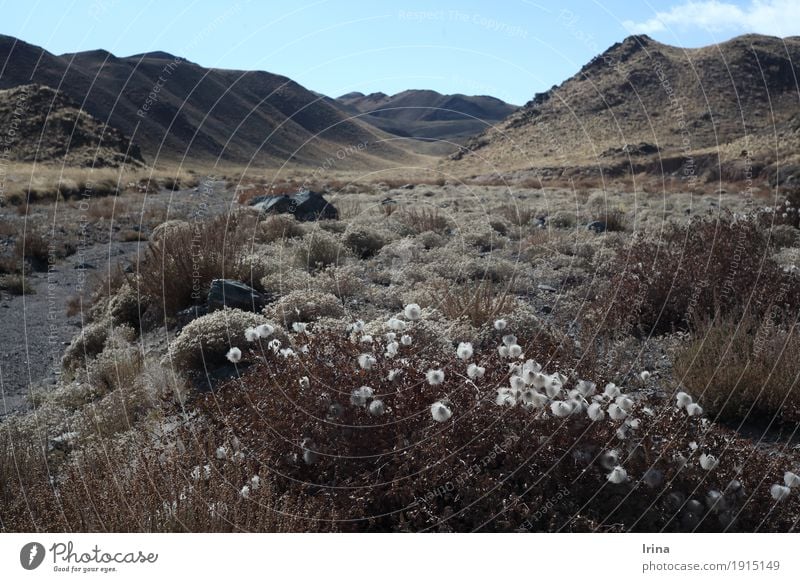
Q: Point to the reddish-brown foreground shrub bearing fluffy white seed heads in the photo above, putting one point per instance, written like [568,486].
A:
[486,468]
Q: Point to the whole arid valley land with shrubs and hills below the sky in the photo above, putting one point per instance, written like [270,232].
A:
[552,327]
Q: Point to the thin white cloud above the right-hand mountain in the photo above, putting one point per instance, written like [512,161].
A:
[773,17]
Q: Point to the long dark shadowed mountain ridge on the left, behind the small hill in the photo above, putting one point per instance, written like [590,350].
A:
[172,108]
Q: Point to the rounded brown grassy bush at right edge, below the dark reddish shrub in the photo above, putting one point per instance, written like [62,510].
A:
[744,369]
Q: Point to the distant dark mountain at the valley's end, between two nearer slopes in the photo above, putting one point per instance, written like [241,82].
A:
[427,114]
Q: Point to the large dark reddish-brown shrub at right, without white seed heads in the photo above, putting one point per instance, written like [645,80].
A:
[693,271]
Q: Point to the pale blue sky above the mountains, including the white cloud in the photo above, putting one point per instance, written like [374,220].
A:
[510,49]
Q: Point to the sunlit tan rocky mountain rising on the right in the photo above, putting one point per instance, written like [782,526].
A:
[726,110]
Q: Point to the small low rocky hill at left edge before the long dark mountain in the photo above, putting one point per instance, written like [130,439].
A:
[41,124]
